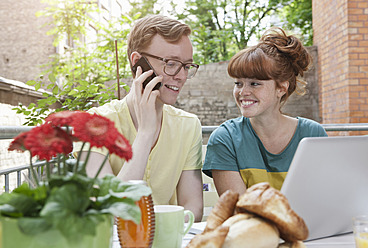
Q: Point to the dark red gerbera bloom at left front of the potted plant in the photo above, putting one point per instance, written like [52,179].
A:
[46,141]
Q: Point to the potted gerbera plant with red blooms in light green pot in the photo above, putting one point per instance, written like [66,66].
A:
[64,207]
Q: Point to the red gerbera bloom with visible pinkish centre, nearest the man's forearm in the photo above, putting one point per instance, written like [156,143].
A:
[97,130]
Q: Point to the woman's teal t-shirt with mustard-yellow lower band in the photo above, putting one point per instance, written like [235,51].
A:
[234,146]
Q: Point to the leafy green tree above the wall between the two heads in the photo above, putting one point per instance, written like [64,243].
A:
[222,27]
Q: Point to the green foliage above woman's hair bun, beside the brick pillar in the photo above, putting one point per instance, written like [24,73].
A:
[297,16]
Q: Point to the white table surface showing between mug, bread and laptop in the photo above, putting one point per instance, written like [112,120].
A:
[340,241]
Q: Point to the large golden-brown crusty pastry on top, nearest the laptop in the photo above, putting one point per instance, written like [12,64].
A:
[270,204]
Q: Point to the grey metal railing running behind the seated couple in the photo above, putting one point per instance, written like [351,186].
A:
[9,132]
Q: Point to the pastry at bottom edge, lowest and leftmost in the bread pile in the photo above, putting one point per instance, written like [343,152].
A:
[210,239]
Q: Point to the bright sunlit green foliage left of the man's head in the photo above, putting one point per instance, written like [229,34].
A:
[76,78]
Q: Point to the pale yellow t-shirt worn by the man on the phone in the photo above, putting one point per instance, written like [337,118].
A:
[178,148]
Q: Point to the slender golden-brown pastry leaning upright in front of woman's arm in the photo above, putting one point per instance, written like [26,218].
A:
[223,209]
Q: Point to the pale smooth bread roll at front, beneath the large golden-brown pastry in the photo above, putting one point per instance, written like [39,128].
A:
[250,231]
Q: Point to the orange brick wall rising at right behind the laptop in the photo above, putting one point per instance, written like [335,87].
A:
[341,35]
